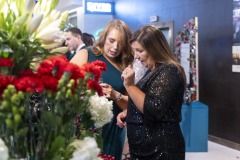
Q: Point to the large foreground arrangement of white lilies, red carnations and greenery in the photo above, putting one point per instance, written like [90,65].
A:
[49,108]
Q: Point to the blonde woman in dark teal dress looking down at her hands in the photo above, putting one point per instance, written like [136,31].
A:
[114,49]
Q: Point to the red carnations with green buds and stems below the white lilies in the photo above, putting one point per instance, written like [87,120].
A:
[38,109]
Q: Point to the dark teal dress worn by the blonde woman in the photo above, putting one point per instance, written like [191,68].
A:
[113,136]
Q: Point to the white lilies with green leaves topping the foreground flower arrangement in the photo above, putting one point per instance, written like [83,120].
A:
[30,30]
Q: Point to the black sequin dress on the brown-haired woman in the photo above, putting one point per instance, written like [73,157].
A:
[156,134]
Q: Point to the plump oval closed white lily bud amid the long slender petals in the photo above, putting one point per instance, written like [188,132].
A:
[35,22]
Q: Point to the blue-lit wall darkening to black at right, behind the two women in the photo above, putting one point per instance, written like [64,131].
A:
[219,86]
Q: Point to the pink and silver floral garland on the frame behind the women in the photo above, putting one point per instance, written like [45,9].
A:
[188,35]
